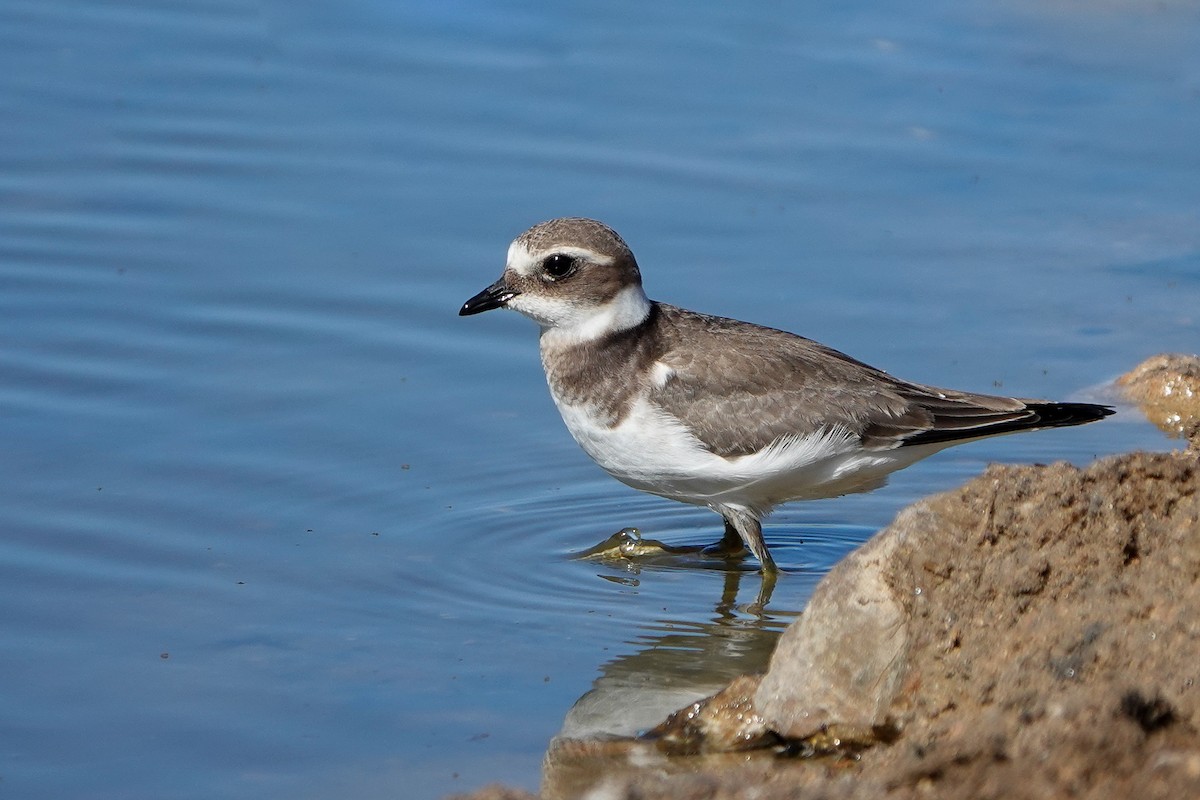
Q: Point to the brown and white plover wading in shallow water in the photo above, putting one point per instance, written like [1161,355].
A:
[721,413]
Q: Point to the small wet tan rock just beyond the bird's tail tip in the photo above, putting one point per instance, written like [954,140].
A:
[1167,389]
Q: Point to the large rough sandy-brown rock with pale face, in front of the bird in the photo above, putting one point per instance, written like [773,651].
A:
[1052,645]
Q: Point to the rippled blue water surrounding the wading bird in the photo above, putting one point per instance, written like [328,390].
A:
[277,524]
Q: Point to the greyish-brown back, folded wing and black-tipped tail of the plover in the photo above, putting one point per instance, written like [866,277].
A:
[740,387]
